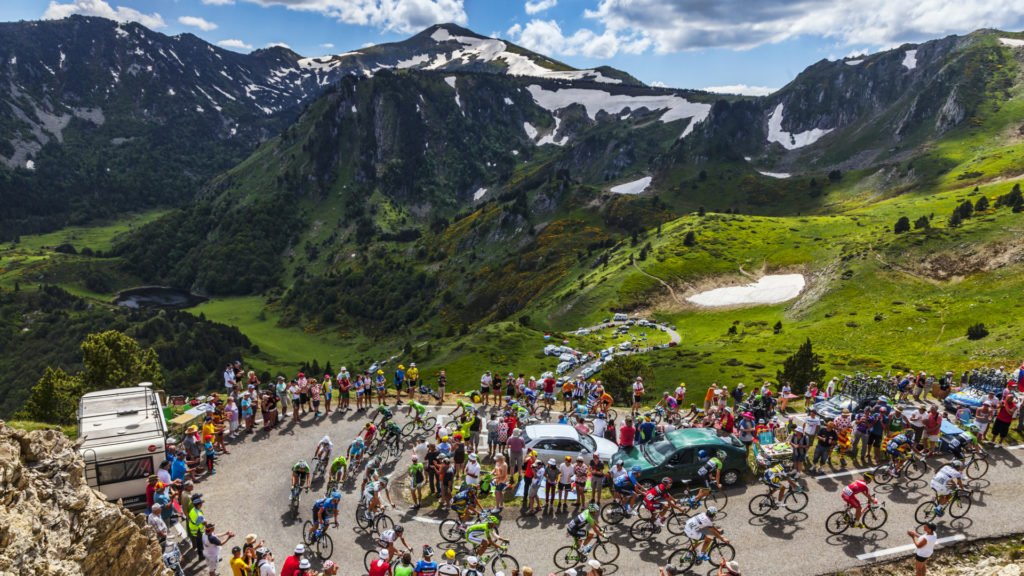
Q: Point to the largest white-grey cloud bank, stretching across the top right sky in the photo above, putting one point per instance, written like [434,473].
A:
[684,25]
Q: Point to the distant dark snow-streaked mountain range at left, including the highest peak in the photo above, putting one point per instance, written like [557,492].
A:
[102,118]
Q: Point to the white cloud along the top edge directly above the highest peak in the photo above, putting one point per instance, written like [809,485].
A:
[399,16]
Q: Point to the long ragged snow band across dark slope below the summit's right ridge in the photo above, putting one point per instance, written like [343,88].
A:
[676,108]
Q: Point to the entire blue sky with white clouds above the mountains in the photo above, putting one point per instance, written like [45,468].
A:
[745,45]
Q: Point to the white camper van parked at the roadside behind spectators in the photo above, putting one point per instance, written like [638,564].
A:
[122,435]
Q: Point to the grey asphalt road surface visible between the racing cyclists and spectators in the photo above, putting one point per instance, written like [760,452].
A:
[249,495]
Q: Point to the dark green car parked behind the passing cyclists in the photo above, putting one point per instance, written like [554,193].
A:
[676,457]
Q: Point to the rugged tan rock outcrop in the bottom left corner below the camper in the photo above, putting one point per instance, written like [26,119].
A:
[52,523]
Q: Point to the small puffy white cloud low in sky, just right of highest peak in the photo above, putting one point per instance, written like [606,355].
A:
[546,37]
